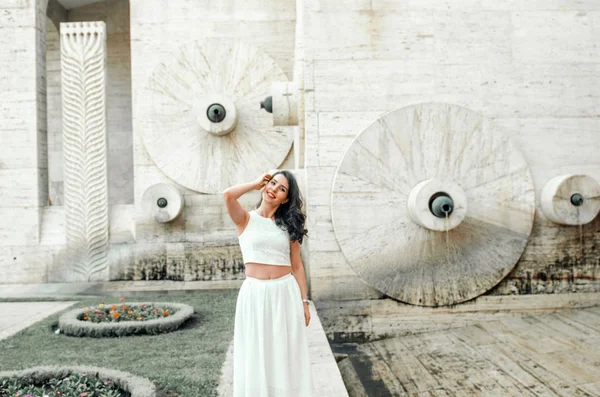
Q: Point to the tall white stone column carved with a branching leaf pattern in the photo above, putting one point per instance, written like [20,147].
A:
[83,68]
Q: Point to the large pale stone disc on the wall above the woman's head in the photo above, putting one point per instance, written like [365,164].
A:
[180,88]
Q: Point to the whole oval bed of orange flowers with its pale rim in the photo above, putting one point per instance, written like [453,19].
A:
[124,319]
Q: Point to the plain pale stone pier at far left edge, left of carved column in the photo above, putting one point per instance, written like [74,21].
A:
[23,135]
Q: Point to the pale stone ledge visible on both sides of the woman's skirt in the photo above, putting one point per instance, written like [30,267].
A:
[327,380]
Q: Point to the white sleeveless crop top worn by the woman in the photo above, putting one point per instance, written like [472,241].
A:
[262,241]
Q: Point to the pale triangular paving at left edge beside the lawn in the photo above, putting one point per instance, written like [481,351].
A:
[19,315]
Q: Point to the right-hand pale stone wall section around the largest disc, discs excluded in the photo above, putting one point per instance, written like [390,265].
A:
[530,67]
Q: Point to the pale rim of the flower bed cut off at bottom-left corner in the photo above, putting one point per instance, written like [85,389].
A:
[136,385]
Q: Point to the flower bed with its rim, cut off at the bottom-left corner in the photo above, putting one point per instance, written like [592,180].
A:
[76,381]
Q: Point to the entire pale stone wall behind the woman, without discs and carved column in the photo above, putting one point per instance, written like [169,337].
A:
[529,67]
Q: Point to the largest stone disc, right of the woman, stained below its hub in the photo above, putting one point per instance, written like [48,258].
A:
[409,262]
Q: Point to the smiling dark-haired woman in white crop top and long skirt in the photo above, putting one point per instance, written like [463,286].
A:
[270,346]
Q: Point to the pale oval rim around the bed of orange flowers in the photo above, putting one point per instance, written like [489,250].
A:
[69,323]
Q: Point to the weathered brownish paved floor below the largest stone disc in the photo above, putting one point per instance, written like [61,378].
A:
[526,355]
